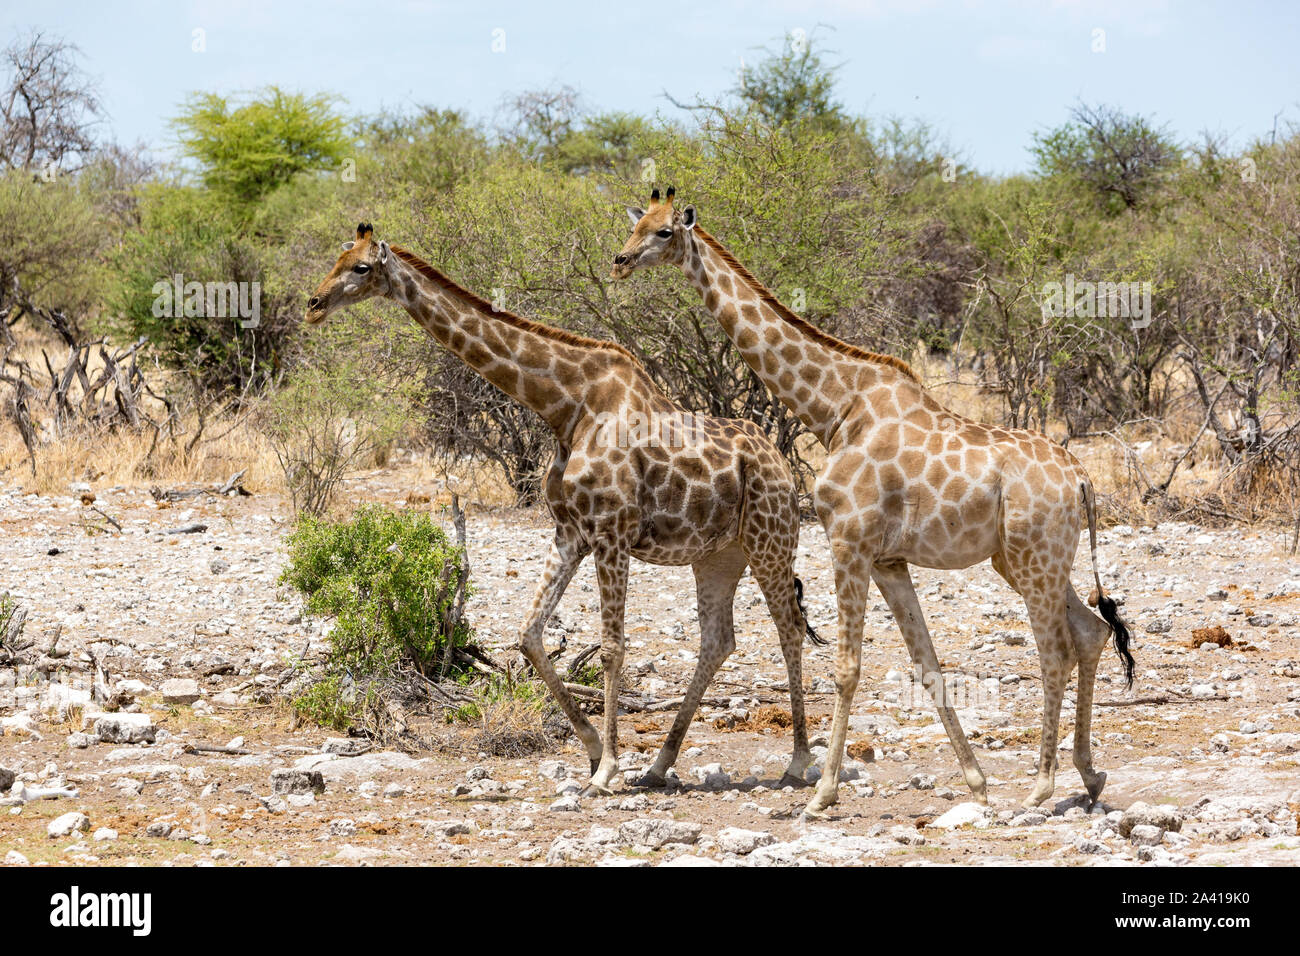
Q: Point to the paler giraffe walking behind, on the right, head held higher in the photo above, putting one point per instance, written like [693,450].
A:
[908,482]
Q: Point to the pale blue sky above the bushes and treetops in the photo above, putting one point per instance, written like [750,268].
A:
[987,76]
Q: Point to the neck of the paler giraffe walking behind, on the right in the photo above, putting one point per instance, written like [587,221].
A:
[808,373]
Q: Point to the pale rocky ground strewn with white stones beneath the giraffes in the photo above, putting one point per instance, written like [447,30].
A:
[1202,756]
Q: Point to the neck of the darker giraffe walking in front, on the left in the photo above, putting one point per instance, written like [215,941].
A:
[527,361]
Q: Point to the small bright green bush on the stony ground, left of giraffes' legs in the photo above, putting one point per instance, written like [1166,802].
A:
[393,583]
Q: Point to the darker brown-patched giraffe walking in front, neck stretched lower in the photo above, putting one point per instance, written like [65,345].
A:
[634,475]
